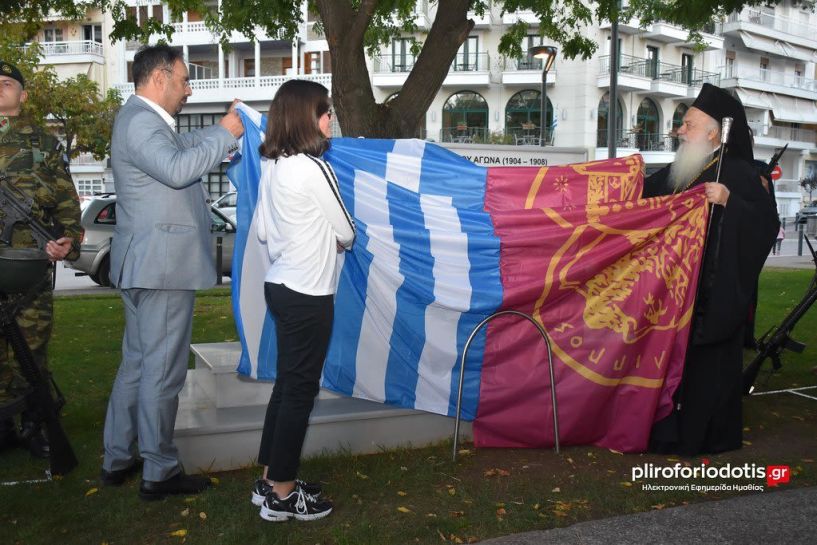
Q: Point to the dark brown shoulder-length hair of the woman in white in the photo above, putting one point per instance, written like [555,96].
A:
[292,122]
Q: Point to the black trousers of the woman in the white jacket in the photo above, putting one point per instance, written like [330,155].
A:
[303,325]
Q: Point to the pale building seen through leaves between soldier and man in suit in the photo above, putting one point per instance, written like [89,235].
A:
[72,48]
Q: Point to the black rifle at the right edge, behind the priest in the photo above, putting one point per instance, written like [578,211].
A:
[777,339]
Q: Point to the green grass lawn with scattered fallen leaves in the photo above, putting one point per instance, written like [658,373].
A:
[395,497]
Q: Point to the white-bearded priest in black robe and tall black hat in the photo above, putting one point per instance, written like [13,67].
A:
[707,417]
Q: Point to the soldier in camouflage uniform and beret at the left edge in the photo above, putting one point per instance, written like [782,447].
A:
[33,161]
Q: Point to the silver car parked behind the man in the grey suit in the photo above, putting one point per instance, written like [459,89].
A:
[99,219]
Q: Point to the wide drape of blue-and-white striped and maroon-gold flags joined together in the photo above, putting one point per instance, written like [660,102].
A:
[443,243]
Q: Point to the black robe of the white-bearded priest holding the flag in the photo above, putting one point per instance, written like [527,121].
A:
[708,417]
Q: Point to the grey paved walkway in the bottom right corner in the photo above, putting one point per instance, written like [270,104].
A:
[788,516]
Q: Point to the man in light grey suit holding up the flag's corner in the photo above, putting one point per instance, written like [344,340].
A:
[160,254]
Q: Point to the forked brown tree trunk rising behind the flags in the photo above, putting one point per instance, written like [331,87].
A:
[358,112]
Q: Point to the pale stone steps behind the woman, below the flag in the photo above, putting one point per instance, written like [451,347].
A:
[221,416]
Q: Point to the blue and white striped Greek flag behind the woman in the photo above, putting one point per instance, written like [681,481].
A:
[423,272]
